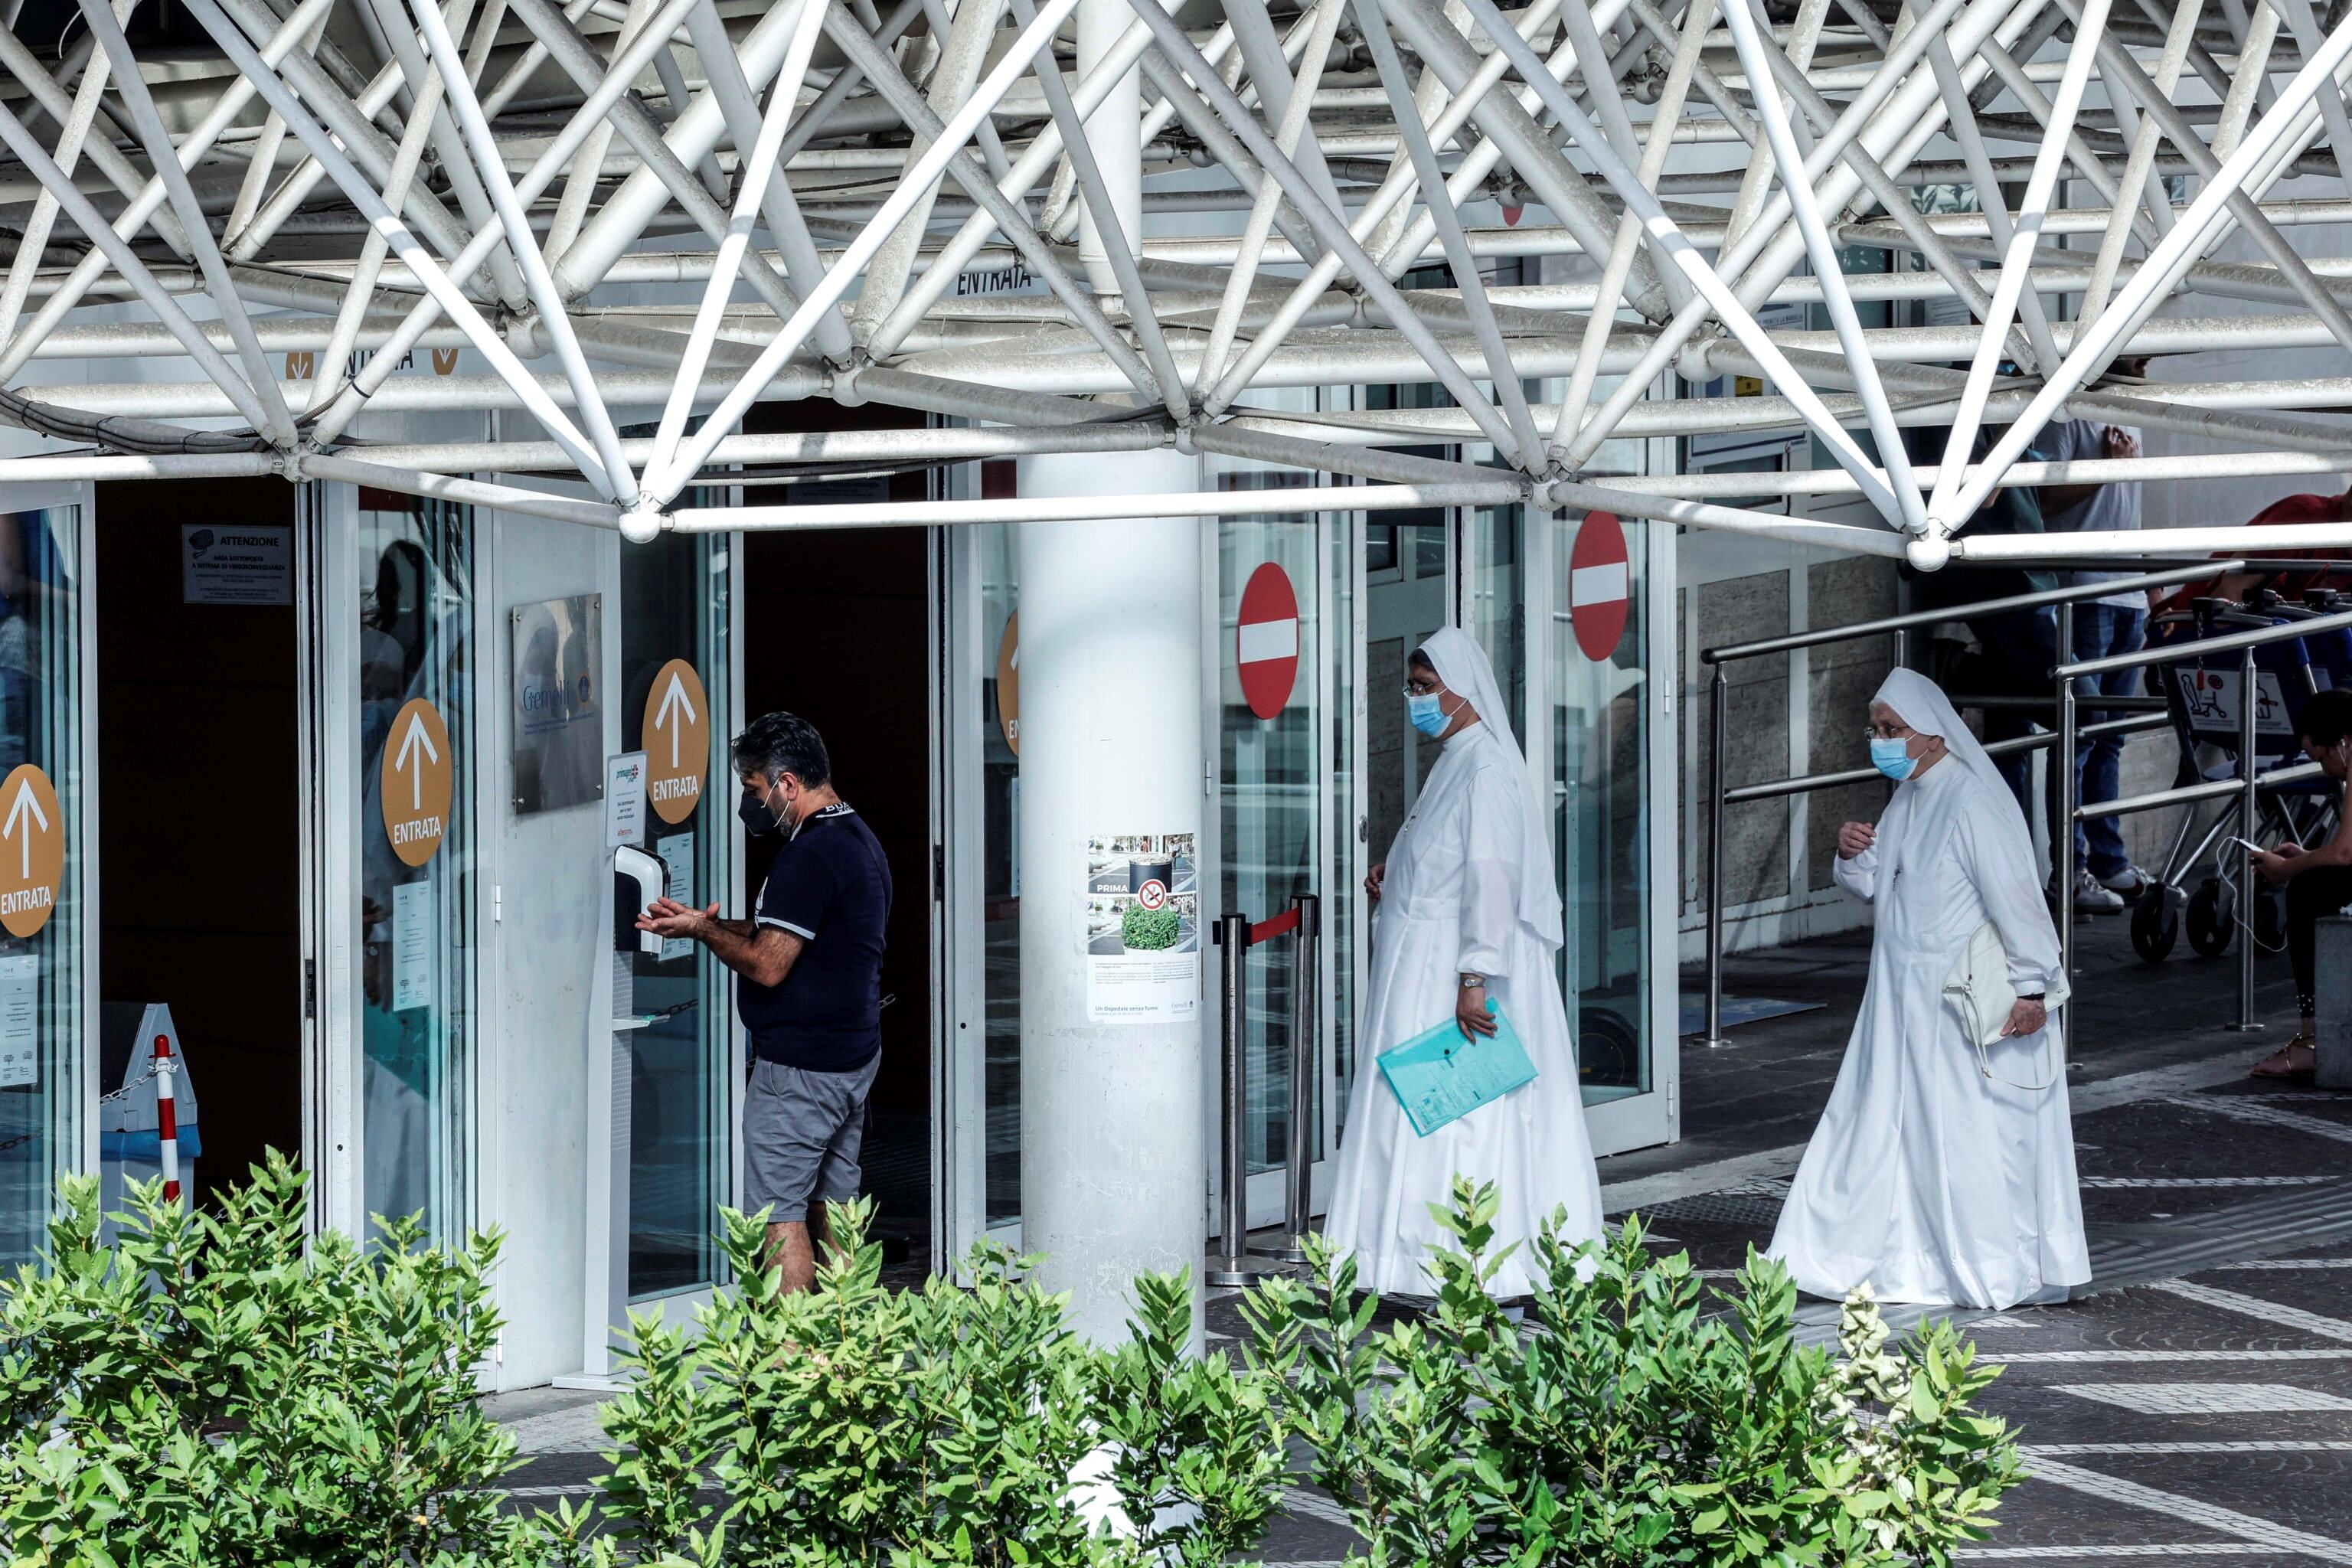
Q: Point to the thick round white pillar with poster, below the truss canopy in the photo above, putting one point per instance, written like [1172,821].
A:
[1114,1144]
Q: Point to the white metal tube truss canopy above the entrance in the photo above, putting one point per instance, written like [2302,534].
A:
[646,217]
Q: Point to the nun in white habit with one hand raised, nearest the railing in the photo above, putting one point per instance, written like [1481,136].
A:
[1942,1174]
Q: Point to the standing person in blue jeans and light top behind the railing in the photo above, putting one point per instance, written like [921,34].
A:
[2118,624]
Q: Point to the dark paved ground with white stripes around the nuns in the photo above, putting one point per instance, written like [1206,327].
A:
[2196,1405]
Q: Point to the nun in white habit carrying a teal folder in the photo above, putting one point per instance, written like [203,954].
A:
[1469,911]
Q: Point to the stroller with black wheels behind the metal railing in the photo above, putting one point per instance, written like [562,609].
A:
[2200,878]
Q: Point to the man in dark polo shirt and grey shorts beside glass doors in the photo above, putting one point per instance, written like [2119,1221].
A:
[808,984]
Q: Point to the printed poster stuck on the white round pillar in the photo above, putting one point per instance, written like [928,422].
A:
[1142,899]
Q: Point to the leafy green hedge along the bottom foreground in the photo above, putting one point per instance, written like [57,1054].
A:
[213,1393]
